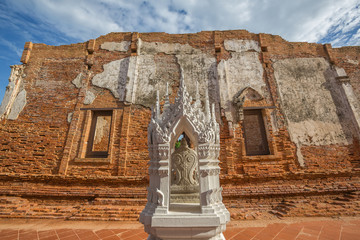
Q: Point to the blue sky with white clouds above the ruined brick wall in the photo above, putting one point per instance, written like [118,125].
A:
[58,22]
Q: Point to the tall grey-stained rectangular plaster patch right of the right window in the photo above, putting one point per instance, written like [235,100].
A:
[305,88]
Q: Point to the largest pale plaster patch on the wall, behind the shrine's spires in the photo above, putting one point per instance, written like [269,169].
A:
[134,80]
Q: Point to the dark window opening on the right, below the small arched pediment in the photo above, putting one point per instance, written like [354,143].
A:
[254,132]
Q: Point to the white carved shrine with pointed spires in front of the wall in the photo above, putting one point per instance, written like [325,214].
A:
[184,196]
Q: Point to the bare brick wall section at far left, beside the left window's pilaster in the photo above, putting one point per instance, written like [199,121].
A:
[34,142]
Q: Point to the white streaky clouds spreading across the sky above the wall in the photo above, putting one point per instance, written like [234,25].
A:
[305,20]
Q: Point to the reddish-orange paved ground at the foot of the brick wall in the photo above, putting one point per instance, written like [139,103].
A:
[299,229]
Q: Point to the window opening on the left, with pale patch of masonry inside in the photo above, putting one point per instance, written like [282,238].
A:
[99,137]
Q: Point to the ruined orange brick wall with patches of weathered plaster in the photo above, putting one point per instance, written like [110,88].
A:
[47,169]
